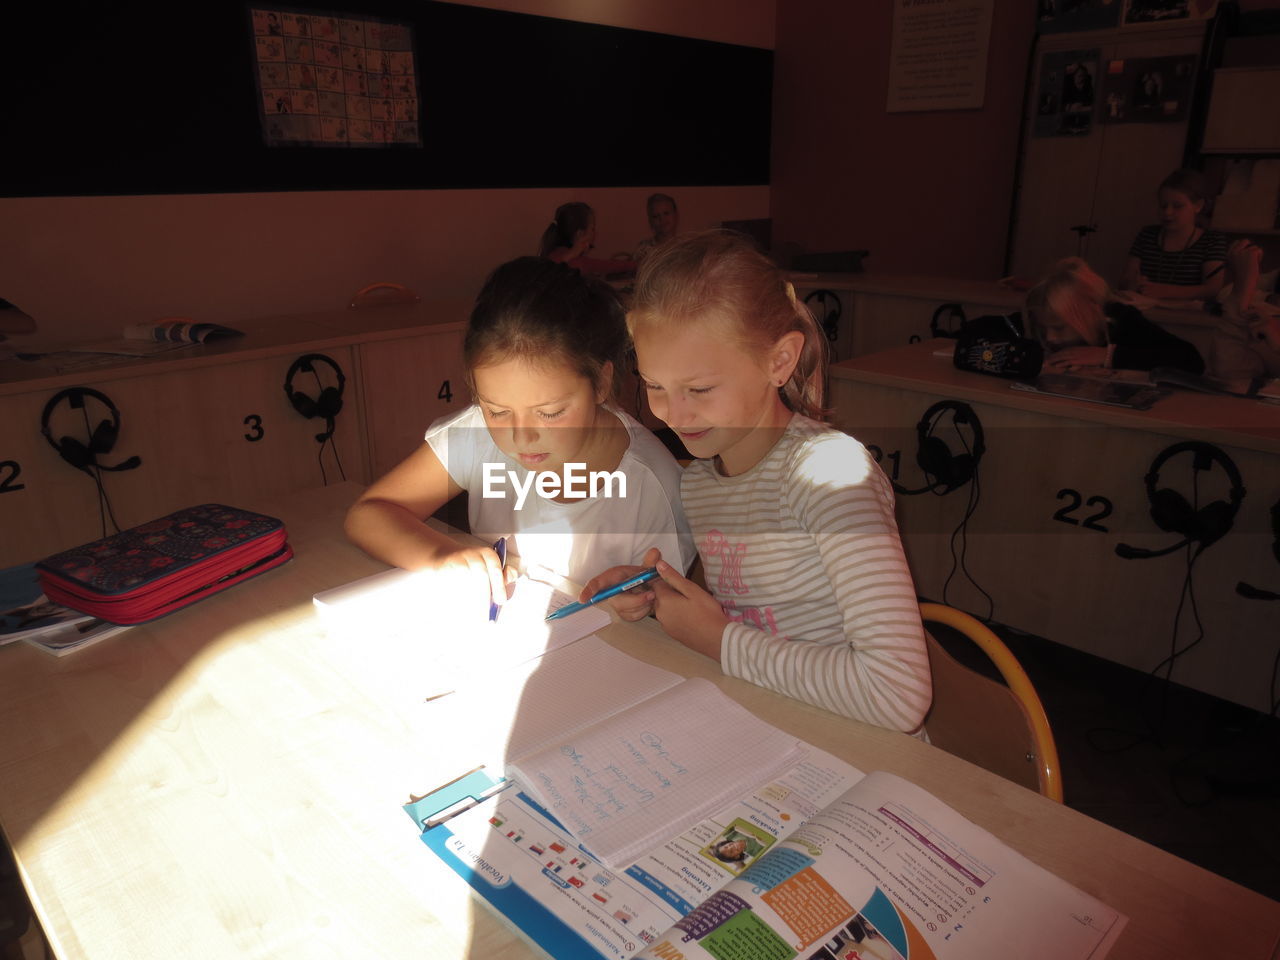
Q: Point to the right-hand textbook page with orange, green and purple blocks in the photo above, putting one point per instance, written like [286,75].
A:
[889,872]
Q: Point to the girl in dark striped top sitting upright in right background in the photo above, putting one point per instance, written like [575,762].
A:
[1177,259]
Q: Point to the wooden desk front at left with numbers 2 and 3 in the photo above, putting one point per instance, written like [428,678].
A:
[225,435]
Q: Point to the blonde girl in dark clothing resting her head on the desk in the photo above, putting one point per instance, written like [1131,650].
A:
[1084,326]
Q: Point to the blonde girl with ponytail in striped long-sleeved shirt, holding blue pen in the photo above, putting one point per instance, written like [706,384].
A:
[810,593]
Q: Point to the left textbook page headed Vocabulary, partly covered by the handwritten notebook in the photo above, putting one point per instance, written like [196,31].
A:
[528,867]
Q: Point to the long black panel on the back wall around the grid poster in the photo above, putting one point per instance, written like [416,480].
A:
[157,98]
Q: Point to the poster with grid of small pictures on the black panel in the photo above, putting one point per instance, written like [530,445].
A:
[335,81]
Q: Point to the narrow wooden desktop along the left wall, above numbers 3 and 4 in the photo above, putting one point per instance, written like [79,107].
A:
[264,337]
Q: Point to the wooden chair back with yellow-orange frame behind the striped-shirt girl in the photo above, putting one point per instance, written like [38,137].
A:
[1003,729]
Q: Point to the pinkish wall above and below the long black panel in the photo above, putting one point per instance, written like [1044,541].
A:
[86,267]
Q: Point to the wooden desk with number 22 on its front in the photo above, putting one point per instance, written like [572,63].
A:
[1064,580]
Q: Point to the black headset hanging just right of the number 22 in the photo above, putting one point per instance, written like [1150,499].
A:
[1173,514]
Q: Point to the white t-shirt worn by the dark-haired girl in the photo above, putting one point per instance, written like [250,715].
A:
[575,540]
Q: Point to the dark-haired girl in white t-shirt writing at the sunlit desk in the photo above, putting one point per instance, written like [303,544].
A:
[542,350]
